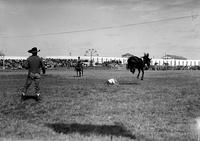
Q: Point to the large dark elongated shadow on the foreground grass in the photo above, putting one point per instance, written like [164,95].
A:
[87,129]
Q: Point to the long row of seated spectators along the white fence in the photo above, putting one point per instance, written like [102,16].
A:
[51,63]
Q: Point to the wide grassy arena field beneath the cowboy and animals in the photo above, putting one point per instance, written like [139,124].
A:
[162,107]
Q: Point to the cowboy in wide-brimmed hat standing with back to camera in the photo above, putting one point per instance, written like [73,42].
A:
[34,64]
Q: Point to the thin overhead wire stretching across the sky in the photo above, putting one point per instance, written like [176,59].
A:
[102,28]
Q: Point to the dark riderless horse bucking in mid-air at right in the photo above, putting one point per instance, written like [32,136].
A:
[135,62]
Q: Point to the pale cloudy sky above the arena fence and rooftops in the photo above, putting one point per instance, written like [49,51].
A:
[111,27]
